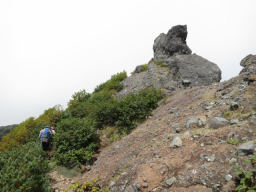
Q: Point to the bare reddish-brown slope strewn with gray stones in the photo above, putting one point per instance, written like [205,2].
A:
[186,145]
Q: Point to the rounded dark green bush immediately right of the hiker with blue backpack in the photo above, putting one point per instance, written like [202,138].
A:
[75,141]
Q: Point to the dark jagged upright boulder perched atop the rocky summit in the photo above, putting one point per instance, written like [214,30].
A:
[172,43]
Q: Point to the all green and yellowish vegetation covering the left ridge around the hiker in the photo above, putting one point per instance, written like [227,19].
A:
[76,138]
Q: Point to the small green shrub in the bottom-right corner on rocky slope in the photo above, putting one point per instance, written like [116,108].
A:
[246,181]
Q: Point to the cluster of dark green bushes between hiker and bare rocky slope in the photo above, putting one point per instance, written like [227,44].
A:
[76,139]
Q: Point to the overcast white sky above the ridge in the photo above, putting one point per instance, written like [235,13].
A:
[50,49]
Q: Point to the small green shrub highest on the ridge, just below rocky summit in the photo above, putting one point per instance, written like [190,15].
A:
[113,84]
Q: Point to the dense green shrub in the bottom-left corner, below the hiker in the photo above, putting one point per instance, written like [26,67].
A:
[23,169]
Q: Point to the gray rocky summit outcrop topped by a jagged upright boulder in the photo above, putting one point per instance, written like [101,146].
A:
[173,66]
